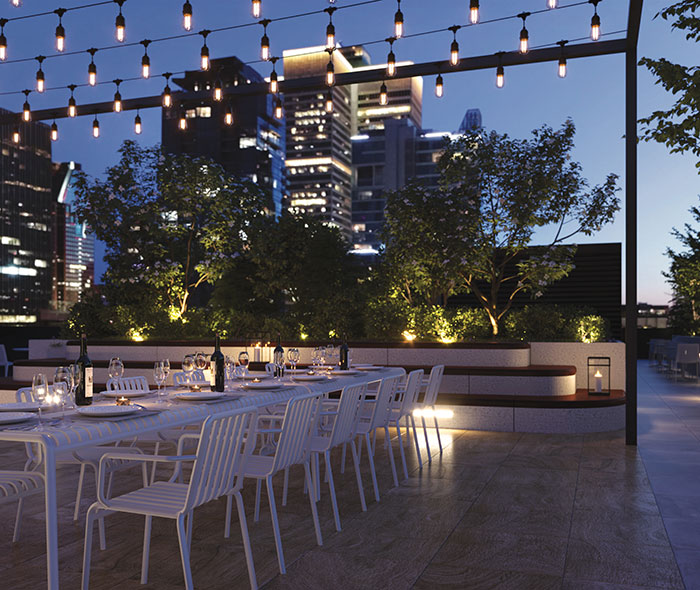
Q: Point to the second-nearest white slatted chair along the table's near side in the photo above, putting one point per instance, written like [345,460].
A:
[293,448]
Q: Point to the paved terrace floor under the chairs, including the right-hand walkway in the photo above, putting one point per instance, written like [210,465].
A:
[496,510]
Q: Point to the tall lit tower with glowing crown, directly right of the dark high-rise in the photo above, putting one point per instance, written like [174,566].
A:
[318,154]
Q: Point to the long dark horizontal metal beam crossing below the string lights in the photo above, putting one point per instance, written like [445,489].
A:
[550,54]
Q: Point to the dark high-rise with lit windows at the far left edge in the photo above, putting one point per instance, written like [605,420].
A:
[26,222]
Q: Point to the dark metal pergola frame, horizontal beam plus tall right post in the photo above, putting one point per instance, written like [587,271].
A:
[626,46]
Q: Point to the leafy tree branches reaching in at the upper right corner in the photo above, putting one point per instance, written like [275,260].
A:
[679,126]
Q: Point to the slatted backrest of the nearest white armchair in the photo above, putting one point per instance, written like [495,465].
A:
[218,467]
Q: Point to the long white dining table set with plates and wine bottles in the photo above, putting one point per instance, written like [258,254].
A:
[81,432]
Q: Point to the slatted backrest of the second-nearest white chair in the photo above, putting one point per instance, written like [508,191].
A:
[299,424]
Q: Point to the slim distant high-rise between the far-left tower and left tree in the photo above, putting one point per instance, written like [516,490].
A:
[74,248]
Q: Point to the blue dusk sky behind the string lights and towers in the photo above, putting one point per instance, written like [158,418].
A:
[592,94]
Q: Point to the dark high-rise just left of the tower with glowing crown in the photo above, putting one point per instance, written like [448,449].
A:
[252,147]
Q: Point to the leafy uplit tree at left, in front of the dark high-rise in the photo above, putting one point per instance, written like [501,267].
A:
[171,223]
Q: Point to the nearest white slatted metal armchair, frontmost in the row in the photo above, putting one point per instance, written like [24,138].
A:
[217,471]
